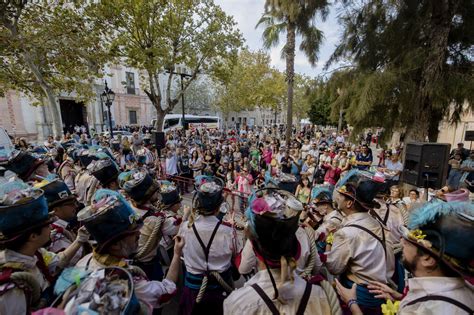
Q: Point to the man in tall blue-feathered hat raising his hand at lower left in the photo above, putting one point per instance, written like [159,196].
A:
[115,227]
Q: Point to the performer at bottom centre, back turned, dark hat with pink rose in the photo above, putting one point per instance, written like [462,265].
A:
[276,288]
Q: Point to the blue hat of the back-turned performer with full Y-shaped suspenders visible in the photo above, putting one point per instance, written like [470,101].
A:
[208,192]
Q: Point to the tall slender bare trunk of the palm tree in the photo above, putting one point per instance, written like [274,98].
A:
[290,77]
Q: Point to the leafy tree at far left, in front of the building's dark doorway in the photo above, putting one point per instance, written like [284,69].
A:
[42,58]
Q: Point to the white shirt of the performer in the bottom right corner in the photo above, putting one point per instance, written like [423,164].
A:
[454,288]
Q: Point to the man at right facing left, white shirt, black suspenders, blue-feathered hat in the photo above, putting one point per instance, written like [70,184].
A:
[361,250]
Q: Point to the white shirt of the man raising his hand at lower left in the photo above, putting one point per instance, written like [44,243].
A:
[147,291]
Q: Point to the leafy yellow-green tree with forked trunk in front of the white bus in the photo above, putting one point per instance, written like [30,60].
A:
[156,35]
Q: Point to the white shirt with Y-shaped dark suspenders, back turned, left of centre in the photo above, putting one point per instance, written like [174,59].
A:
[223,247]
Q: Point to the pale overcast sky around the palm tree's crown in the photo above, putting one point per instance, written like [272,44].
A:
[247,13]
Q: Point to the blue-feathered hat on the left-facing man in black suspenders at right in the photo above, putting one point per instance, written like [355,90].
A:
[362,186]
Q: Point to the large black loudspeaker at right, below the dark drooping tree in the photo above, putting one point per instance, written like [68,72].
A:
[426,163]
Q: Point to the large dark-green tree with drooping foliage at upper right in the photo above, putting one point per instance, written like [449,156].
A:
[413,64]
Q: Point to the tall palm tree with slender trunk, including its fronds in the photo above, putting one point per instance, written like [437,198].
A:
[295,17]
